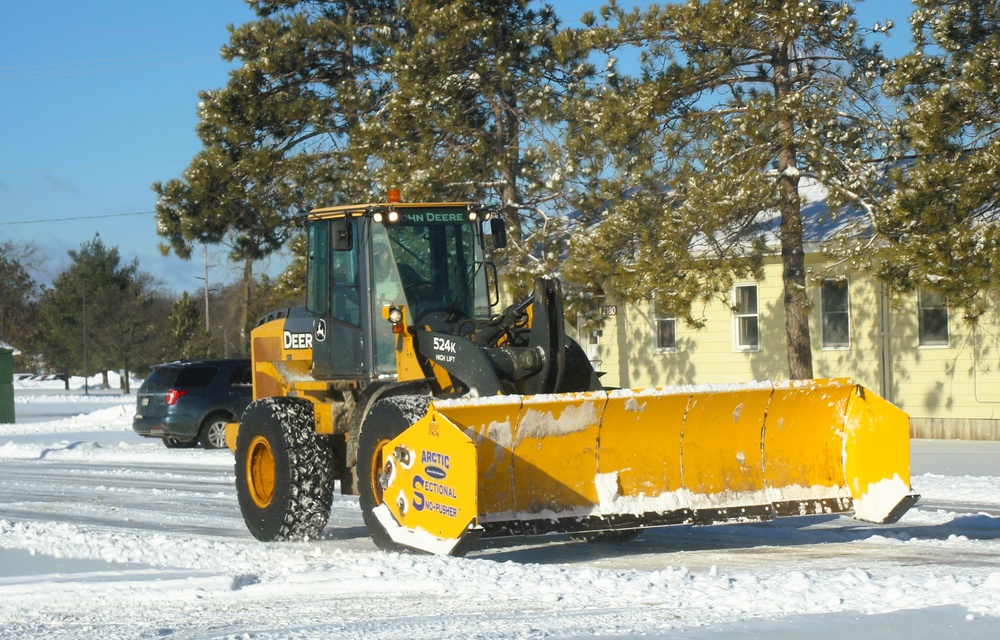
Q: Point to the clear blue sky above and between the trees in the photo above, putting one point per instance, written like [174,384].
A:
[97,102]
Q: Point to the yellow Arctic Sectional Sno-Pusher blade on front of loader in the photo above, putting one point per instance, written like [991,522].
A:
[607,461]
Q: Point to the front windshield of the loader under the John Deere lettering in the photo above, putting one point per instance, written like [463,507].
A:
[439,261]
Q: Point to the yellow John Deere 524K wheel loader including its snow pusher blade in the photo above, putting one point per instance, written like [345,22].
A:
[453,420]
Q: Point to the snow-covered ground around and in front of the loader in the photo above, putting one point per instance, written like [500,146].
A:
[104,534]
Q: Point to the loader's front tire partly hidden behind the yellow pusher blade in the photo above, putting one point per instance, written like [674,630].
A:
[388,418]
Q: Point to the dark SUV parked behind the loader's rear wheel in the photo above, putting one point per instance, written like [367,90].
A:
[186,403]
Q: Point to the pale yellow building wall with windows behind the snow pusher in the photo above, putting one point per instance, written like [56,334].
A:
[912,350]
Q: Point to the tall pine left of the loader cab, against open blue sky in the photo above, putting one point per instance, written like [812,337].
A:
[277,139]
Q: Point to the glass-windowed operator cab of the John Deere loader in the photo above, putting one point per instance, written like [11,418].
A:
[426,261]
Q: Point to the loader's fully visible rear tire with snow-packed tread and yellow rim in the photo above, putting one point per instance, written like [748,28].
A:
[284,471]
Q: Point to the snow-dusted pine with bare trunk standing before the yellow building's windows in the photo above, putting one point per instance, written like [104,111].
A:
[734,103]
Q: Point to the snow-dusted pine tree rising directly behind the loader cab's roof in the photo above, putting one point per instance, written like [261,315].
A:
[475,84]
